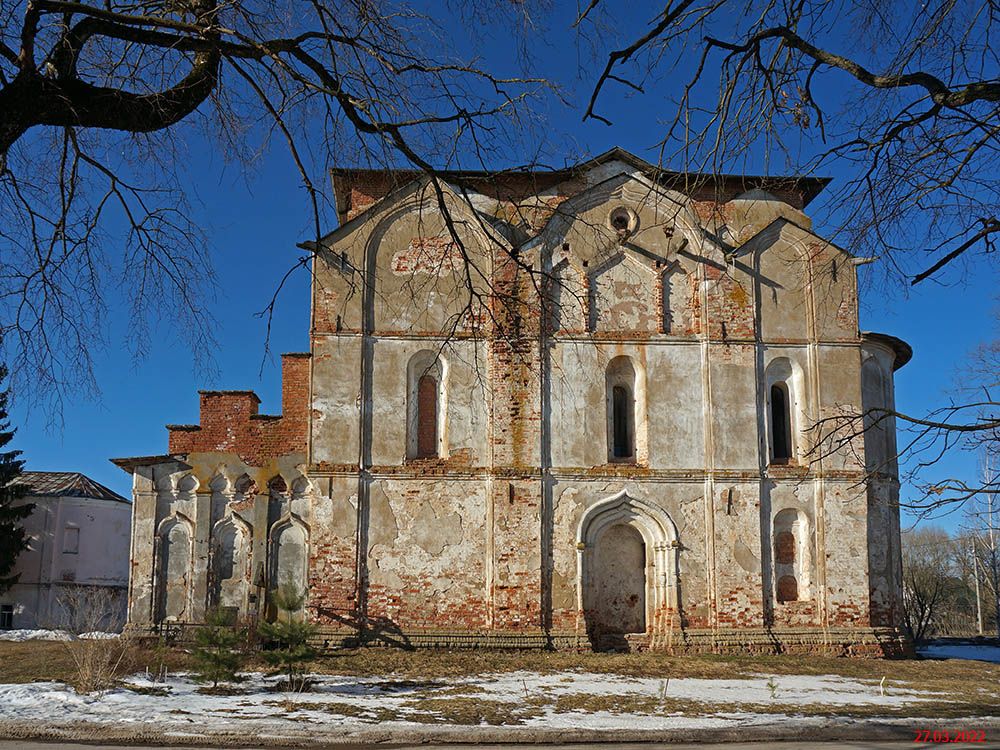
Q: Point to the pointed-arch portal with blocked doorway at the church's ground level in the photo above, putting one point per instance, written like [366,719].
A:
[627,566]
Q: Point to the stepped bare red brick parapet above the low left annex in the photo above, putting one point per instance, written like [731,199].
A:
[229,421]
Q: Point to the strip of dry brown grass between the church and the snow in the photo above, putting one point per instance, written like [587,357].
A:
[967,688]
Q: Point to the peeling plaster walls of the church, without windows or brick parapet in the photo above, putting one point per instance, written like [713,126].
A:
[707,301]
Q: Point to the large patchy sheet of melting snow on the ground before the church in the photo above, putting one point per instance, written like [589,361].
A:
[528,698]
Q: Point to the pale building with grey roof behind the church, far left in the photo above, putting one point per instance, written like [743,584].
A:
[78,546]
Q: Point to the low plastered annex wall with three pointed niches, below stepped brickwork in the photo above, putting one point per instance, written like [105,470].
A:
[180,568]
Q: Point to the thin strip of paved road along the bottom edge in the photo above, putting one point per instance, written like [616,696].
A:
[18,745]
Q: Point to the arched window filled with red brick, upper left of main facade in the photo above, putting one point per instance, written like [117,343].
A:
[425,406]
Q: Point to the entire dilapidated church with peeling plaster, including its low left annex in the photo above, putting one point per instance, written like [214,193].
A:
[576,409]
